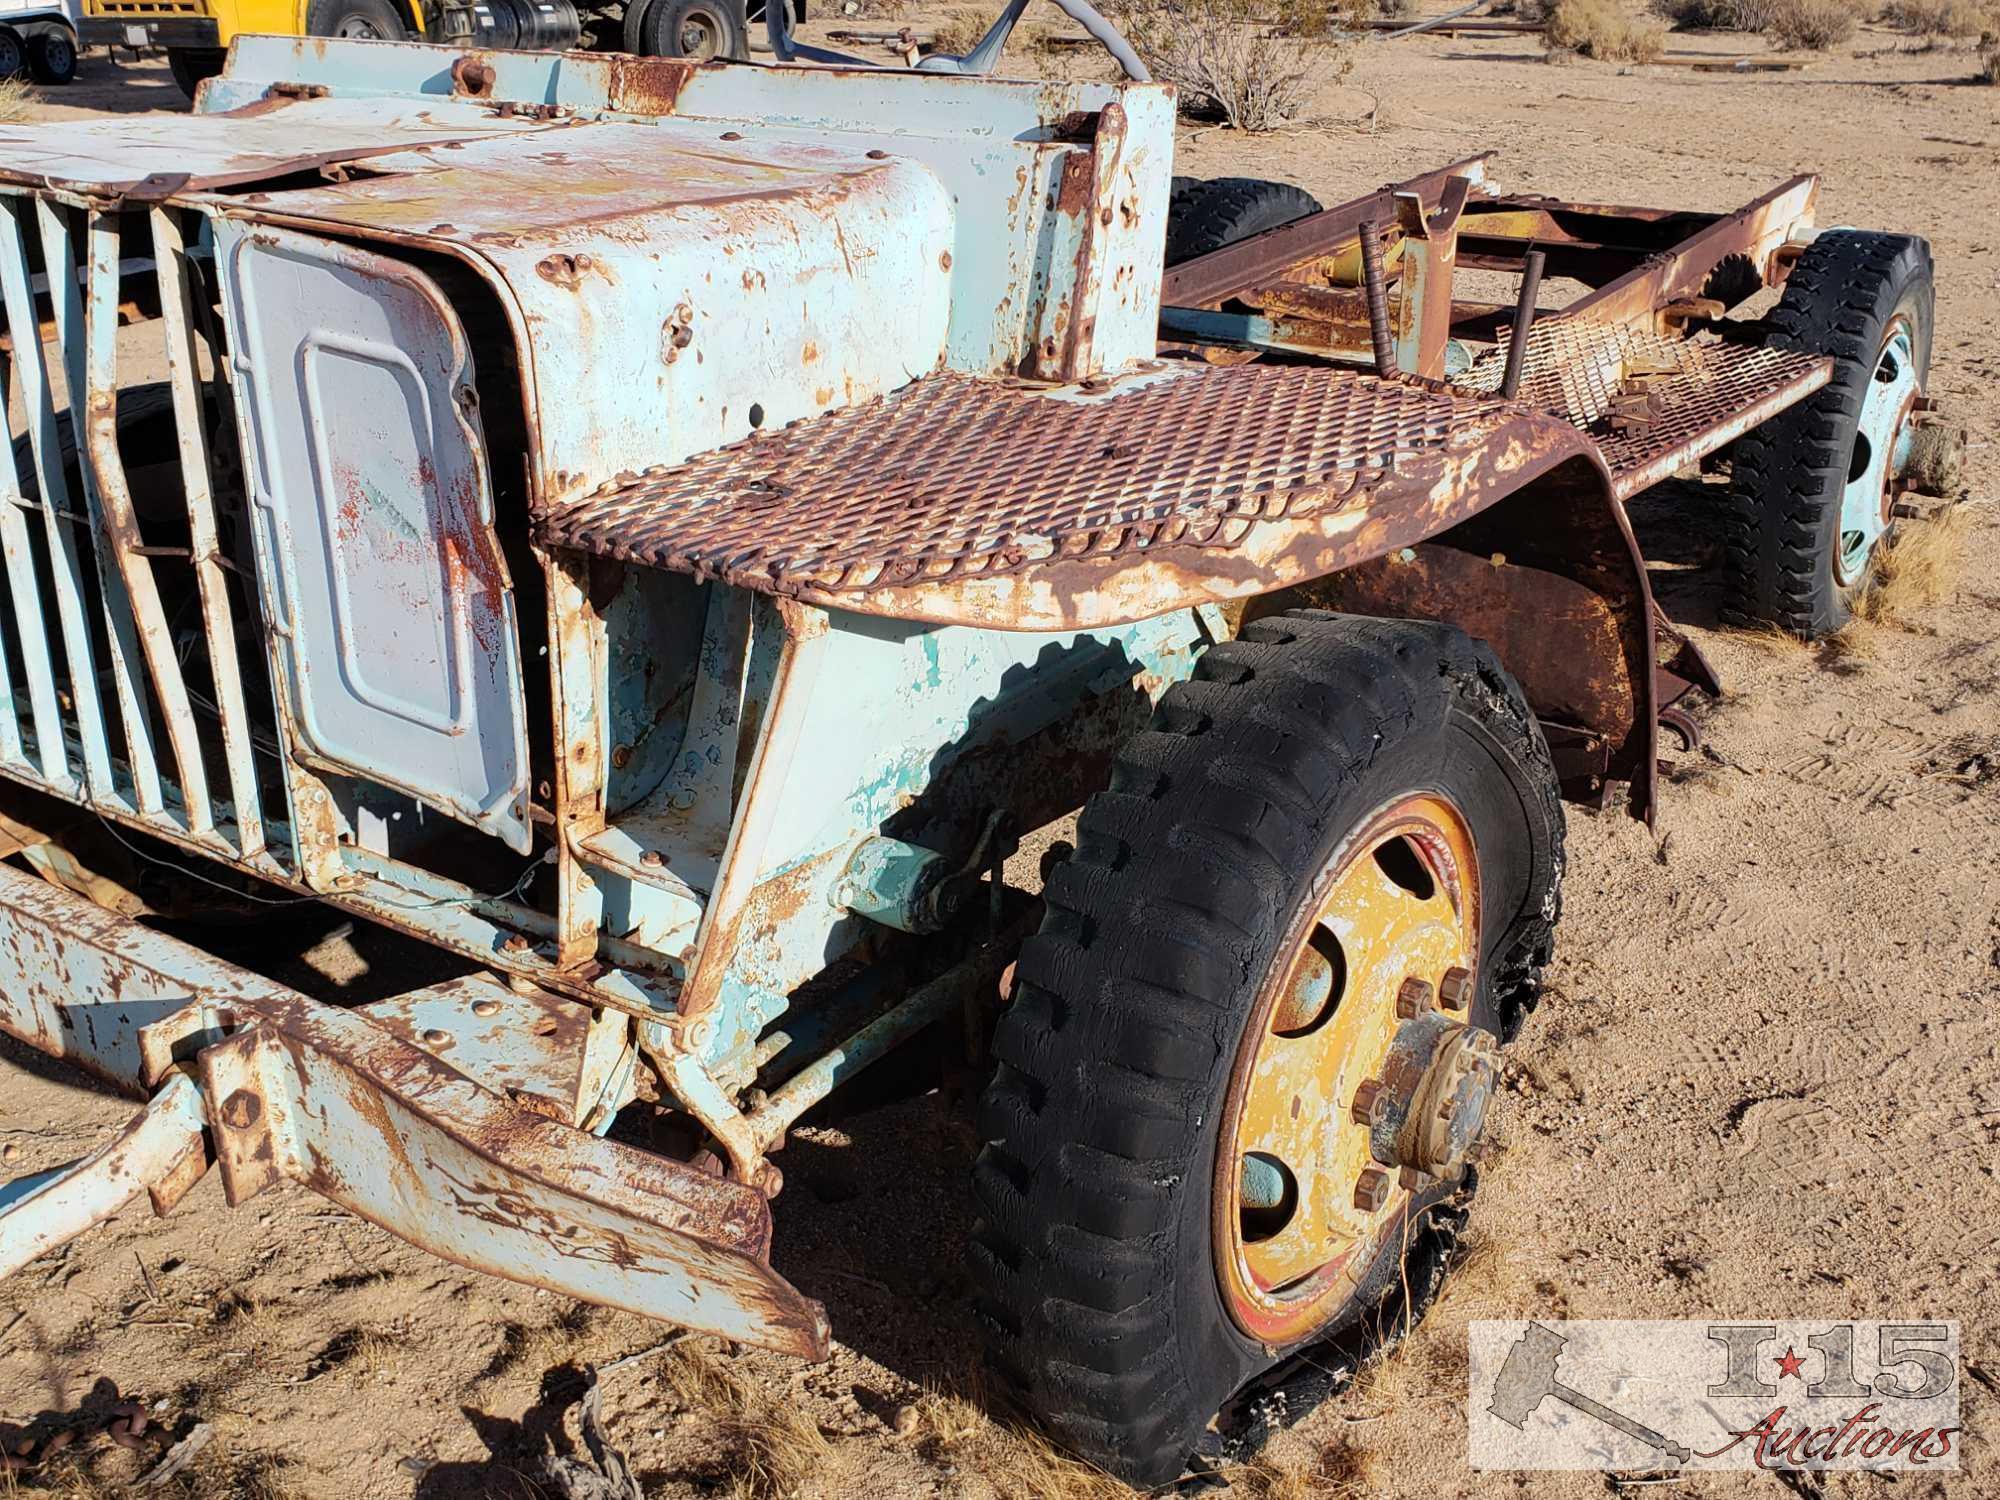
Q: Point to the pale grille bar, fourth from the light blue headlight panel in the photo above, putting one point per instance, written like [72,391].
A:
[67,569]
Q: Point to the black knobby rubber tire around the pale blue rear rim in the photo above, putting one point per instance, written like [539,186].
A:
[1783,521]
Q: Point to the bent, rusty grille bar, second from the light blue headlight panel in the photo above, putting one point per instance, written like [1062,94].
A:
[121,535]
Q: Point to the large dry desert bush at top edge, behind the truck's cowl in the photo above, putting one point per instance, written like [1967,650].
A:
[1237,61]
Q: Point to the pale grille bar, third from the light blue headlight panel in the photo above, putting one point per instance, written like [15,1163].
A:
[59,259]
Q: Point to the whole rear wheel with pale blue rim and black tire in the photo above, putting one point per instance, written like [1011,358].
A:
[1813,487]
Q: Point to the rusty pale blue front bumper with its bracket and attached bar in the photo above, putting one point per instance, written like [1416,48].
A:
[363,1107]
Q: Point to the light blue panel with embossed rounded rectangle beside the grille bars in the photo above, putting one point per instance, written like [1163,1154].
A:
[385,581]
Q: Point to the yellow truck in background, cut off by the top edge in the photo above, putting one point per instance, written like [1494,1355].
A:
[197,33]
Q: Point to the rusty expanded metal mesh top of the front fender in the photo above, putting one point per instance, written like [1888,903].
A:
[957,477]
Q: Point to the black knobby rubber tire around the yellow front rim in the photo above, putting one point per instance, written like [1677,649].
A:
[1095,1255]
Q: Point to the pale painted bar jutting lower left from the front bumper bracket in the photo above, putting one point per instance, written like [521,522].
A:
[57,1207]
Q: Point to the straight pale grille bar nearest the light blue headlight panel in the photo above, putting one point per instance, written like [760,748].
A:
[171,259]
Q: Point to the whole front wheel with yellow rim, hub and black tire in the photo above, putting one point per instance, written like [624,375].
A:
[1253,1043]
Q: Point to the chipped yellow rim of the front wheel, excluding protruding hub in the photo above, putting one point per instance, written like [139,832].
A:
[1391,921]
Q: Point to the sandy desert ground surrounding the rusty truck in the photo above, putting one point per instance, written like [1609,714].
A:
[1765,1081]
